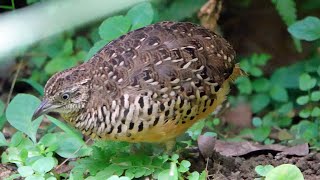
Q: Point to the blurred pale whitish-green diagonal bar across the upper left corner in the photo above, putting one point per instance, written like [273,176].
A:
[23,27]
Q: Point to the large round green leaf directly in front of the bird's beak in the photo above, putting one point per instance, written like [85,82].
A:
[19,114]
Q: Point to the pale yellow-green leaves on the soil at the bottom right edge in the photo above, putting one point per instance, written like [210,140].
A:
[284,171]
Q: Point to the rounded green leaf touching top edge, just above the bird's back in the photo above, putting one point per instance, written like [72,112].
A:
[140,15]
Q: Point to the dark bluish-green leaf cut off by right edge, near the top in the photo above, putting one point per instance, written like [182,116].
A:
[306,29]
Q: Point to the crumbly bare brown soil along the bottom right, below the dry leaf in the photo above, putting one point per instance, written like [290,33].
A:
[238,168]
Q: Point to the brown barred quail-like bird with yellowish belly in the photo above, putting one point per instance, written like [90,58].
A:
[149,85]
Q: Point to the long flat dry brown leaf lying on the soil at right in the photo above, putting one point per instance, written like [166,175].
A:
[242,148]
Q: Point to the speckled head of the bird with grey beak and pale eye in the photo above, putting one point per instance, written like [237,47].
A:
[66,92]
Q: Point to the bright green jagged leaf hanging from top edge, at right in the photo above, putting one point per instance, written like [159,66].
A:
[287,10]
